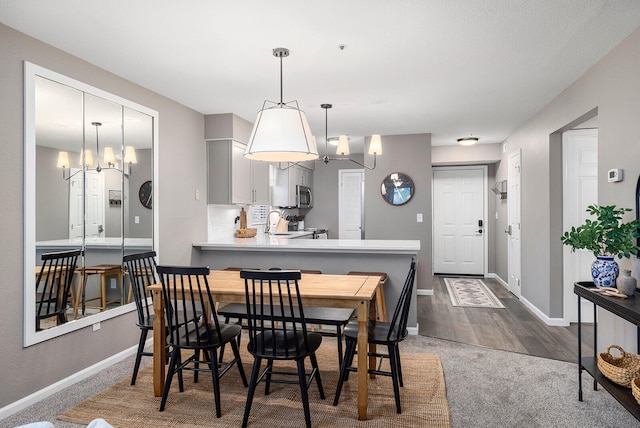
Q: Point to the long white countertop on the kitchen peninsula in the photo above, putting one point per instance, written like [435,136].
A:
[266,242]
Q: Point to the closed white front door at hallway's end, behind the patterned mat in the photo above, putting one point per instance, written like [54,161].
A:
[459,220]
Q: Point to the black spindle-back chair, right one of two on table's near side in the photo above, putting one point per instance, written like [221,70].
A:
[278,331]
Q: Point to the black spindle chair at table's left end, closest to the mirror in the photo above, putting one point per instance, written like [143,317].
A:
[141,269]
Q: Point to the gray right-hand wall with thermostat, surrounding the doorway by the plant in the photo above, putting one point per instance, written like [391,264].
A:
[612,87]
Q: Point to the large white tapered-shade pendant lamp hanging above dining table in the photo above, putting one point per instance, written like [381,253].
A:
[281,132]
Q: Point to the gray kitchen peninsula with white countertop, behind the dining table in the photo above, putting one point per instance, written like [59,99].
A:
[332,256]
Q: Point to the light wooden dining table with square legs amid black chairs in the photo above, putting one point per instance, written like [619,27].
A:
[340,291]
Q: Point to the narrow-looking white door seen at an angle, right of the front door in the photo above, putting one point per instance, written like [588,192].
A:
[514,264]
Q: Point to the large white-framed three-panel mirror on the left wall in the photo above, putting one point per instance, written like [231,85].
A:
[87,153]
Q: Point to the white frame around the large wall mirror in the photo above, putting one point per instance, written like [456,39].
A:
[31,70]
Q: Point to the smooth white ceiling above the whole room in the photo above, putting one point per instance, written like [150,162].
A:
[447,67]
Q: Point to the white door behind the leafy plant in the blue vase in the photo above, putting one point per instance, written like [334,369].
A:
[580,189]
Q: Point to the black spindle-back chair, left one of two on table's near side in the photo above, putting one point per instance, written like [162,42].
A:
[194,326]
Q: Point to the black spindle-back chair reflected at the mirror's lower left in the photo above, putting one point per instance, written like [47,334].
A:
[53,285]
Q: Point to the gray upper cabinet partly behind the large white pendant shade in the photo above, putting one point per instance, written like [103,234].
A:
[232,178]
